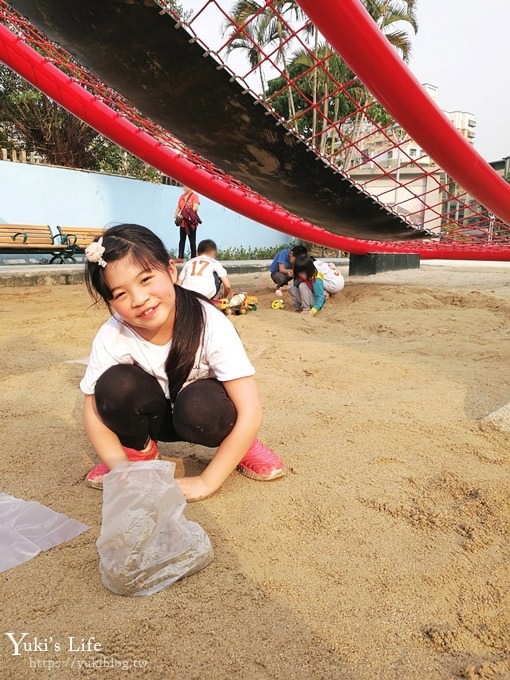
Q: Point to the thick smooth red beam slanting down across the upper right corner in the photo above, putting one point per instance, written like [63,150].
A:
[356,37]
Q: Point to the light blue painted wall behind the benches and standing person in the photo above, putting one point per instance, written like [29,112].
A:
[37,194]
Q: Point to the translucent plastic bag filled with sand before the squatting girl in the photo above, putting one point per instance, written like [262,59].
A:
[146,543]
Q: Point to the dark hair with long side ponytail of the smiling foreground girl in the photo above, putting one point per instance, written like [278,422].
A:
[147,249]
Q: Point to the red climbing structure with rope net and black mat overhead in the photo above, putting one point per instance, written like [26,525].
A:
[388,163]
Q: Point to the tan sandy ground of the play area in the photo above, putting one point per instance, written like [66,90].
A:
[382,554]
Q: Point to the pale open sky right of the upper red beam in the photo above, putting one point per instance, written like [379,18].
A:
[462,47]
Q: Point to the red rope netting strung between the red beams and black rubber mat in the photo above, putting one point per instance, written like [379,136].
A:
[277,54]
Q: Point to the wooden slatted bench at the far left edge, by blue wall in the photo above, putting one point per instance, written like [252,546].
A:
[33,238]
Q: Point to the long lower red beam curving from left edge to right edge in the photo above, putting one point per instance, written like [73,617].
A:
[43,75]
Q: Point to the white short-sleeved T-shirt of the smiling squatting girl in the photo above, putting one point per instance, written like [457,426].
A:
[221,354]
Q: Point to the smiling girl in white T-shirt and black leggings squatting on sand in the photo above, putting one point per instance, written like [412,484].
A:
[166,366]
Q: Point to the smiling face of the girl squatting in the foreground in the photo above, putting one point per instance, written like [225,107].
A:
[144,298]
